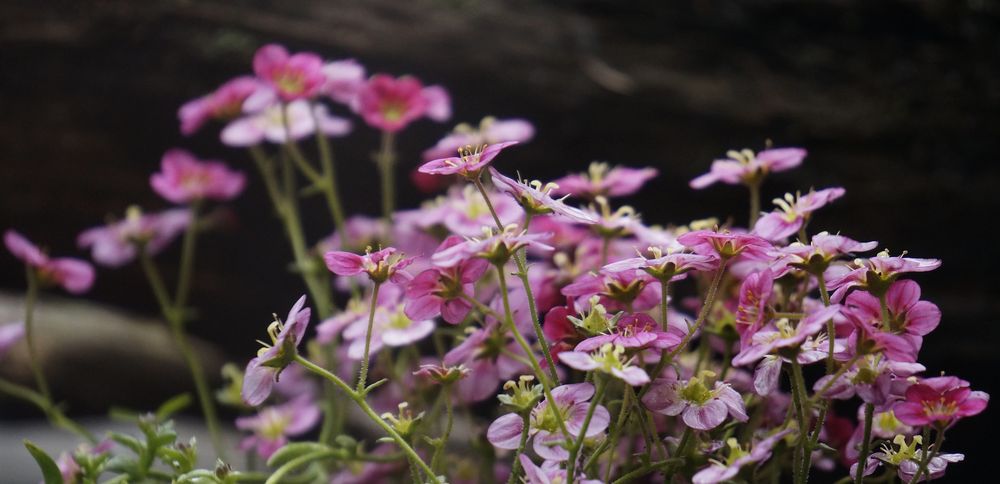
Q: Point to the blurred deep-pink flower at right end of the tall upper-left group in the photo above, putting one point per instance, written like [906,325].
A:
[391,104]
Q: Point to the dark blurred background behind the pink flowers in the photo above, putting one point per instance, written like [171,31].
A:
[896,101]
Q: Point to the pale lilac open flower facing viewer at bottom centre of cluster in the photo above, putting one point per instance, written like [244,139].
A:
[571,401]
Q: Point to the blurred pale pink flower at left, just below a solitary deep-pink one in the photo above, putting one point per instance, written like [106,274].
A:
[117,243]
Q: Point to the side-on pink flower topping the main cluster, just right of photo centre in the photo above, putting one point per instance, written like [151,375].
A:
[600,180]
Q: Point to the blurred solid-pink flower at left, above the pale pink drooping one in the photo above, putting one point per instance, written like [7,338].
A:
[184,179]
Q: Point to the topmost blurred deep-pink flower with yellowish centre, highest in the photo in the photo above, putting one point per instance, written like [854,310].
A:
[292,77]
